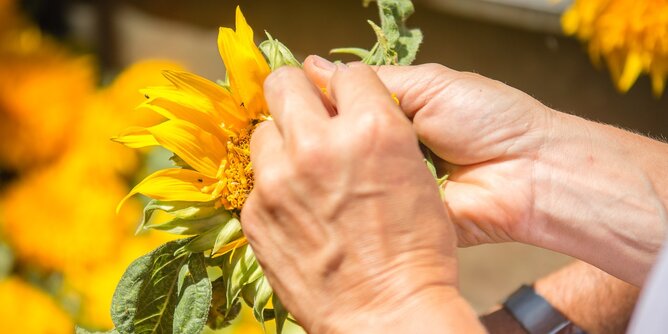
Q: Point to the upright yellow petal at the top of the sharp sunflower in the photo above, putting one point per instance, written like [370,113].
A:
[246,67]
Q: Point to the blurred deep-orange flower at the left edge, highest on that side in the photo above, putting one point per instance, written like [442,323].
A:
[42,95]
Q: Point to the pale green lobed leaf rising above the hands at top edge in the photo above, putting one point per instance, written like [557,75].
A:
[396,44]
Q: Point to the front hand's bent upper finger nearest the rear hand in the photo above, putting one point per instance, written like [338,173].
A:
[356,87]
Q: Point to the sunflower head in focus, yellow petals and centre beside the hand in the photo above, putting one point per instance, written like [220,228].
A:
[208,127]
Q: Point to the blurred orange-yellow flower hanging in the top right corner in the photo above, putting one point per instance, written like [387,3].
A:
[630,35]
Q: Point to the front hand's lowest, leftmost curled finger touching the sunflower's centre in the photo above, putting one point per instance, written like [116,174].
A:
[266,146]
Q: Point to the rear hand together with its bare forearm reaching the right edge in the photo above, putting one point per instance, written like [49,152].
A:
[520,171]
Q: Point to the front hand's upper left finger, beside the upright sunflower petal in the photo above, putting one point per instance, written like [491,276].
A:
[294,102]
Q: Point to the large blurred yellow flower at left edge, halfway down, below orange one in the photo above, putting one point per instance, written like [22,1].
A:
[63,216]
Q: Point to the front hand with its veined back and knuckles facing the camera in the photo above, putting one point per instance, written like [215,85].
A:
[345,218]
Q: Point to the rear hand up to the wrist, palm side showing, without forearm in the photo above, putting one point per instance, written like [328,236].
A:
[489,134]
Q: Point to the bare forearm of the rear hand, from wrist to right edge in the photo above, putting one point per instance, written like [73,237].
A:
[604,196]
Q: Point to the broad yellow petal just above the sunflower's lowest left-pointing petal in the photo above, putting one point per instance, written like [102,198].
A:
[197,147]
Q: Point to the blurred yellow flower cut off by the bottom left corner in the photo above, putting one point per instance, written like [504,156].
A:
[24,309]
